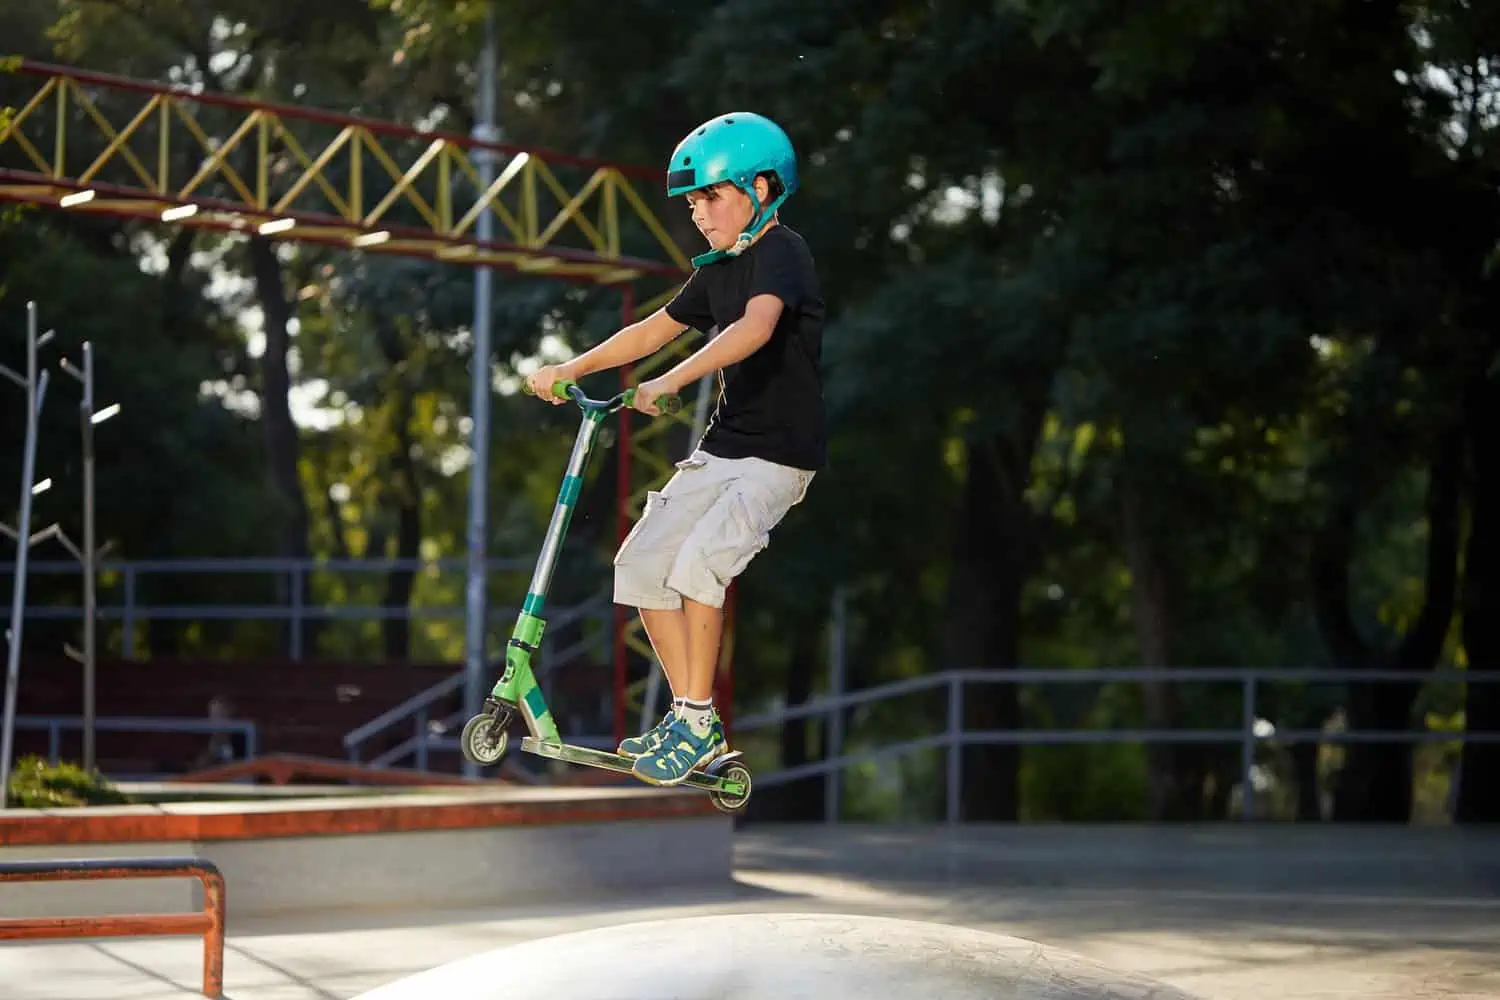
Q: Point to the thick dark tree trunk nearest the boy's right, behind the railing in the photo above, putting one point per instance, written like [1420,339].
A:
[992,560]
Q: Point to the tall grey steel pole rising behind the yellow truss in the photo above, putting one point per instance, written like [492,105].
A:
[476,605]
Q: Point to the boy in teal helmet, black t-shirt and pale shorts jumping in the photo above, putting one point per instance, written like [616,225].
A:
[766,442]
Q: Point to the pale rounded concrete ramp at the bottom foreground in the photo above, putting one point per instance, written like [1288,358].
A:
[778,957]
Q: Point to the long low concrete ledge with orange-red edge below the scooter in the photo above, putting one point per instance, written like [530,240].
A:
[413,849]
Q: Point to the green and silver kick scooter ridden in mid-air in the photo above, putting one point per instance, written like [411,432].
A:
[484,741]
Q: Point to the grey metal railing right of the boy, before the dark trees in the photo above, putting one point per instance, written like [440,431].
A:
[1252,734]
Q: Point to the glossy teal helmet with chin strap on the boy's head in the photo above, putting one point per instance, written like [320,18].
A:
[734,148]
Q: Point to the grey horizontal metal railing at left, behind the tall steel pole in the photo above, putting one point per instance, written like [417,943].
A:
[121,584]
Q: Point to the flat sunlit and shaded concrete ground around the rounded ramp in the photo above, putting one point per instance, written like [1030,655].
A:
[1226,914]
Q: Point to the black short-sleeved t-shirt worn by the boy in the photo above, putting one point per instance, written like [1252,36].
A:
[772,404]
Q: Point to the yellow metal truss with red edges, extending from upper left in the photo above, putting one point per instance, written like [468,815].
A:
[127,148]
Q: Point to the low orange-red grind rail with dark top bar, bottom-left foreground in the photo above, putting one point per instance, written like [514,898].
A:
[209,923]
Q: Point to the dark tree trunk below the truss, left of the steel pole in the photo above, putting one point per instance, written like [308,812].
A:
[283,446]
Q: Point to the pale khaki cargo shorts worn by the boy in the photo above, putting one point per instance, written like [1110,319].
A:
[701,530]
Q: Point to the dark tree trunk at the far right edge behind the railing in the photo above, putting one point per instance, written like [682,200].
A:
[1480,768]
